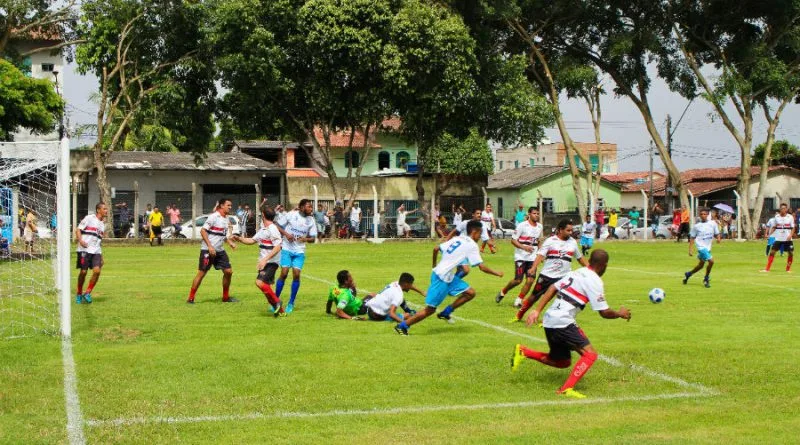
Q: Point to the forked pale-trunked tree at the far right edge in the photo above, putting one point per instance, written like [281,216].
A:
[753,47]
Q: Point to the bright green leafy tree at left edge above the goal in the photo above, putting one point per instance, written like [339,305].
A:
[25,102]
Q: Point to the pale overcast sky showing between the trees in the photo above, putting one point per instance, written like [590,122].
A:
[698,142]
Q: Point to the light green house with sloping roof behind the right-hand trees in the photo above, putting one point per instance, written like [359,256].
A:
[553,184]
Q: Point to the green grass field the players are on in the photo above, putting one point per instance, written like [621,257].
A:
[712,365]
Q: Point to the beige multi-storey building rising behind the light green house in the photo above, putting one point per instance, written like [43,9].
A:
[556,154]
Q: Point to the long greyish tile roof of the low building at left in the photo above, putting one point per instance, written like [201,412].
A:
[148,160]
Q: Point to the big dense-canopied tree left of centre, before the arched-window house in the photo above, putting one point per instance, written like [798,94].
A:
[308,69]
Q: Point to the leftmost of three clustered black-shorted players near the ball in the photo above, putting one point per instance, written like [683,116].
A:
[526,238]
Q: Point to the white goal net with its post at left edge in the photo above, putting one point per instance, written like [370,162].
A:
[34,244]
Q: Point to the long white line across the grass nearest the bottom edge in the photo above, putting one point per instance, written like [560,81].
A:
[383,411]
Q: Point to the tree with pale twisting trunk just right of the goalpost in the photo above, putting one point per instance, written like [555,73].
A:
[137,50]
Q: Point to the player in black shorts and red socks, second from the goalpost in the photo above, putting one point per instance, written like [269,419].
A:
[212,251]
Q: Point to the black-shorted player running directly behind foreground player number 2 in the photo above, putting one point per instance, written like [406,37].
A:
[557,253]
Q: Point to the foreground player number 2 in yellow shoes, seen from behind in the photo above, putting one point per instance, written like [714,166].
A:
[573,292]
